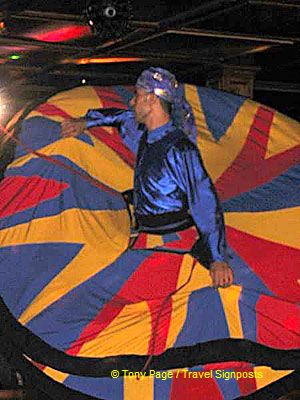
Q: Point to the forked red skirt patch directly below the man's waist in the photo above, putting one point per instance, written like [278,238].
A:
[153,282]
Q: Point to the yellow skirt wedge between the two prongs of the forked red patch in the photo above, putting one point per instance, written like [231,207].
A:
[128,333]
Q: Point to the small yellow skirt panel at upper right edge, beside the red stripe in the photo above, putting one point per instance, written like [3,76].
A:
[284,135]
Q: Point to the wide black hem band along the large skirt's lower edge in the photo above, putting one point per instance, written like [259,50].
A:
[188,356]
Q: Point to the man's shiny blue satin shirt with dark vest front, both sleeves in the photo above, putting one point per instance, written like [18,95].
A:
[169,175]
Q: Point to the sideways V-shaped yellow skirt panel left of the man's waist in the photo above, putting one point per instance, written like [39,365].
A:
[106,233]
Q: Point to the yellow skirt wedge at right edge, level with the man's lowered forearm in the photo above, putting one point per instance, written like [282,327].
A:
[274,226]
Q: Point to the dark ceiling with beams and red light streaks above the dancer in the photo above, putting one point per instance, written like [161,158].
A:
[48,45]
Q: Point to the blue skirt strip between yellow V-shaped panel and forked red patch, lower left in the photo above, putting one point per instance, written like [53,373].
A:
[73,312]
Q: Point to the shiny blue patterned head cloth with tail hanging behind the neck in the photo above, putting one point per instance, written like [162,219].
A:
[164,85]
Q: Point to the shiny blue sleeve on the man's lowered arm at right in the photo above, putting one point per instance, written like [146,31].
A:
[202,200]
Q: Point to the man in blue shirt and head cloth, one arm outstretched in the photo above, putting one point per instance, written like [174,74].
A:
[171,185]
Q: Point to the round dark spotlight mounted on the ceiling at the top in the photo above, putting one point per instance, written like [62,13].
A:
[109,19]
